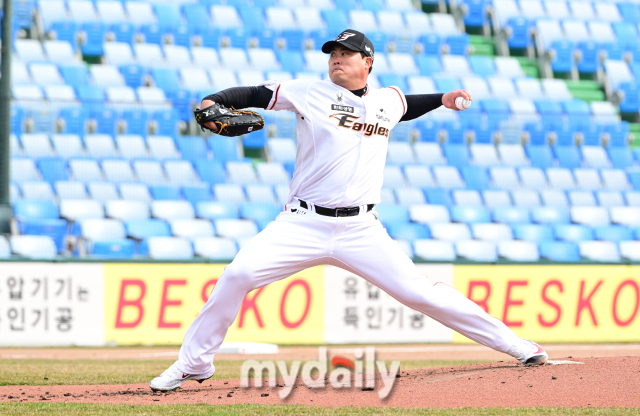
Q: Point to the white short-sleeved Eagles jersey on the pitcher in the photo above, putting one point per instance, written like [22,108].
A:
[342,139]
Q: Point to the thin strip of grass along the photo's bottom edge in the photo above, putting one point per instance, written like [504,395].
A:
[54,409]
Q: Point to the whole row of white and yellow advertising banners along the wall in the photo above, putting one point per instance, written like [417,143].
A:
[93,304]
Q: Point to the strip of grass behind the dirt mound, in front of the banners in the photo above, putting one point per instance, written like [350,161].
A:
[72,372]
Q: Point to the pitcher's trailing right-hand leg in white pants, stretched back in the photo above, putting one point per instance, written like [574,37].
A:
[377,258]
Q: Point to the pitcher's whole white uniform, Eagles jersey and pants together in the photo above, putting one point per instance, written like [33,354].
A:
[342,147]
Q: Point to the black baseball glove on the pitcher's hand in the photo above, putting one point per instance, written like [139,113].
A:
[230,122]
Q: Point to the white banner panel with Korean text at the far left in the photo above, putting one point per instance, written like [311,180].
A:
[51,304]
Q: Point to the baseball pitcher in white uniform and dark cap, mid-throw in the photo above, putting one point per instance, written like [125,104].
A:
[343,128]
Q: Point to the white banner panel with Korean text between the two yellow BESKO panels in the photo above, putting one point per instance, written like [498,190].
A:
[358,312]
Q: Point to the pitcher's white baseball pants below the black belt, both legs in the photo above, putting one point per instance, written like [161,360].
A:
[358,244]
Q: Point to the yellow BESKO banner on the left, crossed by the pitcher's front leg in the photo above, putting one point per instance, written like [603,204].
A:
[156,303]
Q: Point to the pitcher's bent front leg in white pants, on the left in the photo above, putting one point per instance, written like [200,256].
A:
[285,247]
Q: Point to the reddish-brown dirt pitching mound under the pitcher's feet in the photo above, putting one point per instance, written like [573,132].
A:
[566,382]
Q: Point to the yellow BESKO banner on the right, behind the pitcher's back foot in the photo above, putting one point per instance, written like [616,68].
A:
[567,303]
